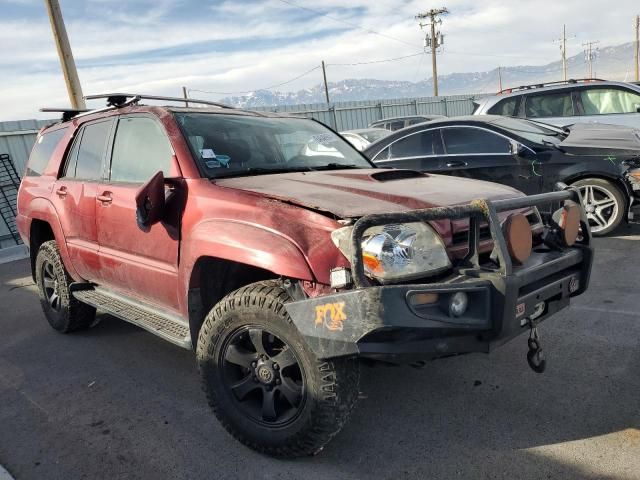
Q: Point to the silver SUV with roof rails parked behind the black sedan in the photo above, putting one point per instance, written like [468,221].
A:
[566,103]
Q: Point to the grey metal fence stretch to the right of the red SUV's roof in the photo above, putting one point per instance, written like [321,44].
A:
[351,115]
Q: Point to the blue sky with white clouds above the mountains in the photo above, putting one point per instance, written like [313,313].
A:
[232,46]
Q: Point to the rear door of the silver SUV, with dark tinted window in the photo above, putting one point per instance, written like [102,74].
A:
[557,107]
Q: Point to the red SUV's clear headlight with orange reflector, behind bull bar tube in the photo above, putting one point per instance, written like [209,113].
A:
[397,252]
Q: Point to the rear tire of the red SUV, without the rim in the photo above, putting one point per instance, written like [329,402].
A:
[71,315]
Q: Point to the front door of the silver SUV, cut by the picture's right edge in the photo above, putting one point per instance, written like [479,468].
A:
[606,104]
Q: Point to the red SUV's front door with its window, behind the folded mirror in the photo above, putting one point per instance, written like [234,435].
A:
[138,261]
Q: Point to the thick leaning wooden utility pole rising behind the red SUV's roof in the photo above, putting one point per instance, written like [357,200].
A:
[64,52]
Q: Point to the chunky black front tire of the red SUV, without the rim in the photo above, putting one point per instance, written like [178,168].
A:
[331,386]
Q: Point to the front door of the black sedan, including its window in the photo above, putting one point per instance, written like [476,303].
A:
[483,154]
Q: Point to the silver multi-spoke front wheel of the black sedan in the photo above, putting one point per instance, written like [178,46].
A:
[604,204]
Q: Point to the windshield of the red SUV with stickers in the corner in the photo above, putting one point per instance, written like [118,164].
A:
[234,145]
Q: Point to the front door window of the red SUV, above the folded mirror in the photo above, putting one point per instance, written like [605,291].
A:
[141,149]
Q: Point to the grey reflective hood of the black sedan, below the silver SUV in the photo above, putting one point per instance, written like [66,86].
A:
[601,139]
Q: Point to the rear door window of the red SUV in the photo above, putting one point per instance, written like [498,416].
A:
[90,152]
